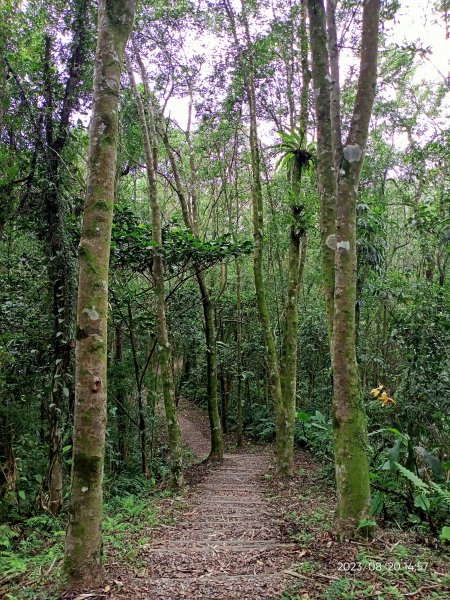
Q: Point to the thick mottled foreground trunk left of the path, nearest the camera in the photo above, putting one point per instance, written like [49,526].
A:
[83,541]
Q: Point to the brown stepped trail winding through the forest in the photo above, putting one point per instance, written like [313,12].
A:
[227,544]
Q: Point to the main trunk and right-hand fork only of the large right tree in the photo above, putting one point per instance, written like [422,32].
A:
[351,443]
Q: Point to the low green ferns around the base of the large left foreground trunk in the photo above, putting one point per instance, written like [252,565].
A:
[31,551]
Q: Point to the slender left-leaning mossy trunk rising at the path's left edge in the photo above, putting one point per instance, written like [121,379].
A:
[164,351]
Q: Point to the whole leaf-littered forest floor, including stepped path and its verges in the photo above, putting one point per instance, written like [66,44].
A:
[238,531]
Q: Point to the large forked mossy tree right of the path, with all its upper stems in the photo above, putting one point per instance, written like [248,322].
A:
[351,460]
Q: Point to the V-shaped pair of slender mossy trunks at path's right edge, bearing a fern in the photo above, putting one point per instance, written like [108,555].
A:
[282,370]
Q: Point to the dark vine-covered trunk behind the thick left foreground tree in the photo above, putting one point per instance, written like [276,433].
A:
[61,263]
